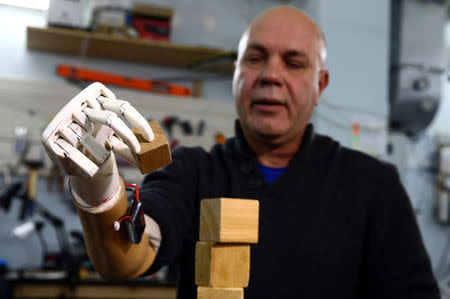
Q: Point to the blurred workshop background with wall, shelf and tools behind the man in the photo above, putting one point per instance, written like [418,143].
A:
[389,96]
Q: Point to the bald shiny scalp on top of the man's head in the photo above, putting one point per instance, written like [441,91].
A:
[287,17]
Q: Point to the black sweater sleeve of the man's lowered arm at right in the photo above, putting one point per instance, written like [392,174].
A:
[398,265]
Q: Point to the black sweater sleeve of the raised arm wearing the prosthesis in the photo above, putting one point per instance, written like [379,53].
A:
[168,196]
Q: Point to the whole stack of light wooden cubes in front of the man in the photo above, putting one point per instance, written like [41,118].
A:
[227,228]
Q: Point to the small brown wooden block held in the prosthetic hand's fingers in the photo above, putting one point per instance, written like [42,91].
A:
[154,154]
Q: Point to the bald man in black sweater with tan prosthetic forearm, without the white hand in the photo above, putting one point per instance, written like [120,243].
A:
[334,223]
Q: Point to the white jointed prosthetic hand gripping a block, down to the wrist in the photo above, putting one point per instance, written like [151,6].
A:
[81,136]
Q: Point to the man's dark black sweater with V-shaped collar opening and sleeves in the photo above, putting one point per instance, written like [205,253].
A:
[336,224]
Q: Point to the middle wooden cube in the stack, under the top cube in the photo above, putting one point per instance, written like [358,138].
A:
[222,265]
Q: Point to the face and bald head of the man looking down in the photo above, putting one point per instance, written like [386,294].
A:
[277,80]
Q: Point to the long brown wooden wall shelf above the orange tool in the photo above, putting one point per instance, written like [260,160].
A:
[101,45]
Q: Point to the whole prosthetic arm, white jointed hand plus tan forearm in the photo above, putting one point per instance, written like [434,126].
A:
[81,139]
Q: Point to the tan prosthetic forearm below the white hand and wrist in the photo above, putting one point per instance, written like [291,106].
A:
[111,252]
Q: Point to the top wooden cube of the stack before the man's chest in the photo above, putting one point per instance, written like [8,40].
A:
[229,220]
